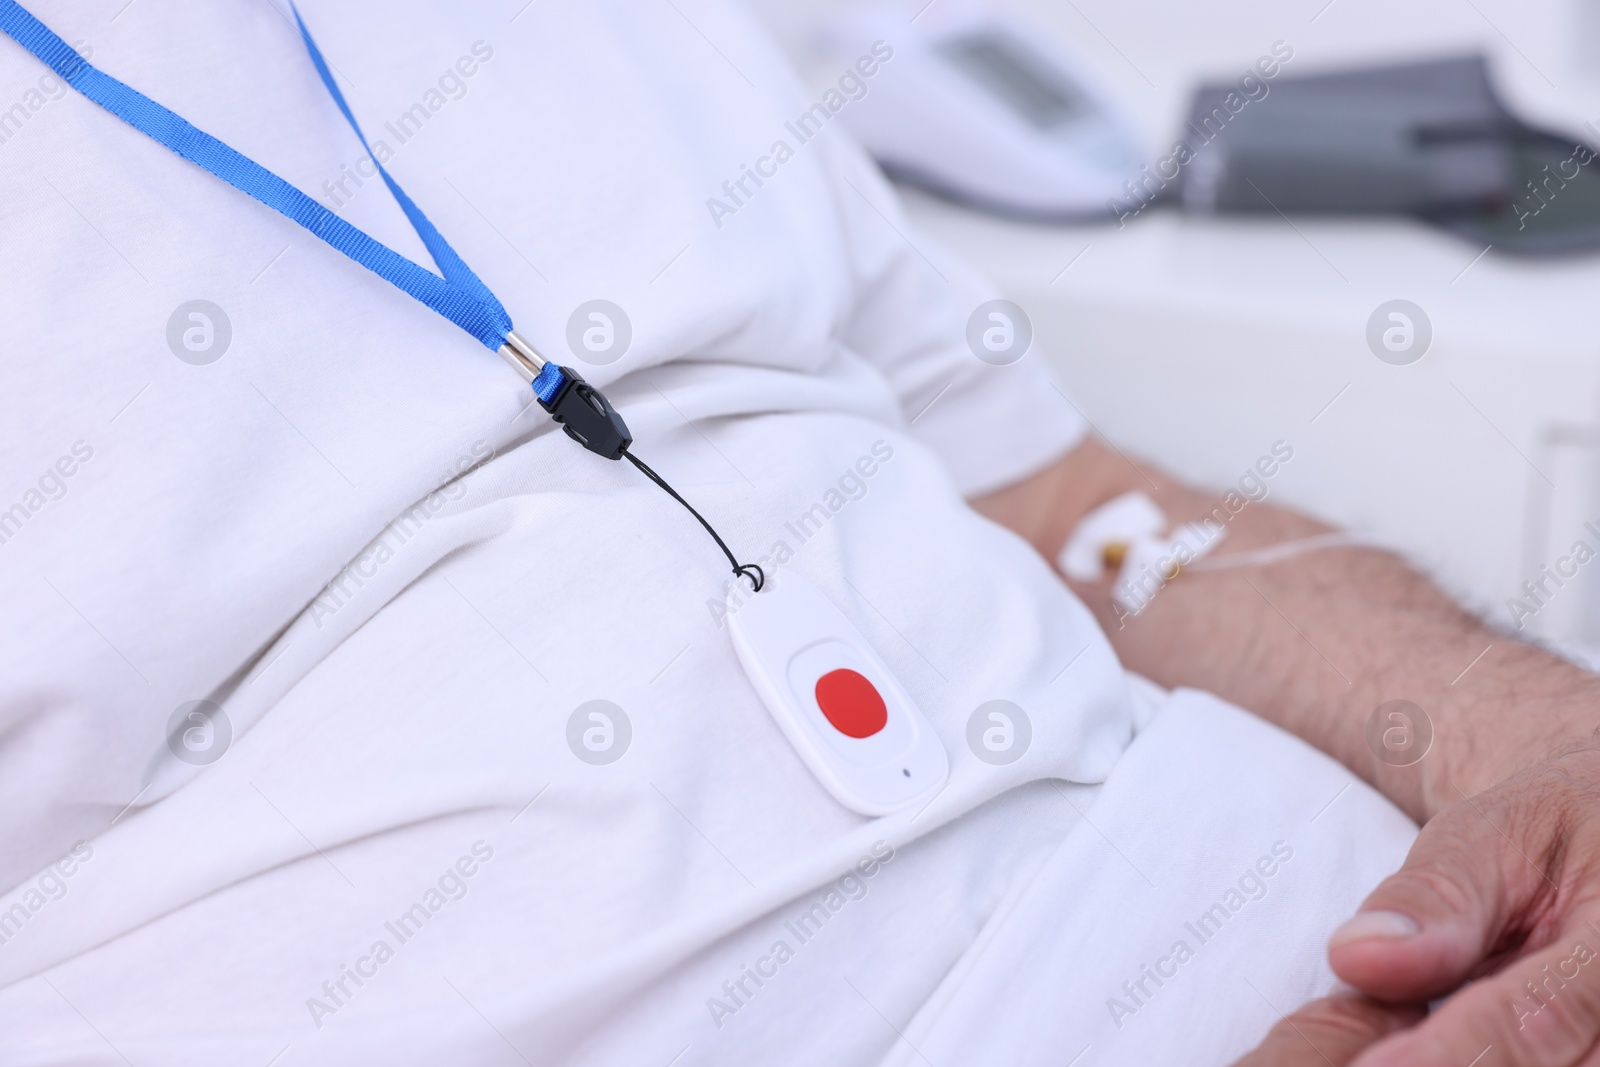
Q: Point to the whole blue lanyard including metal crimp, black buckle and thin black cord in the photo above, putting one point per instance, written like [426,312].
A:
[460,297]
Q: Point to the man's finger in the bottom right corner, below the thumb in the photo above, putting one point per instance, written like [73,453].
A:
[1540,1012]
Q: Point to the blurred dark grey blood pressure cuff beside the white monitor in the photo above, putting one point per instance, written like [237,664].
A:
[1431,140]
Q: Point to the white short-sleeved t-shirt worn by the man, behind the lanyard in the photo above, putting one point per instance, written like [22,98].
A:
[399,583]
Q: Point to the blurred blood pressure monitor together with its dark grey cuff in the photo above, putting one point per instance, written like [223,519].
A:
[982,108]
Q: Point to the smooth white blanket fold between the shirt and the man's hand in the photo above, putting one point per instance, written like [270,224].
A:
[1182,916]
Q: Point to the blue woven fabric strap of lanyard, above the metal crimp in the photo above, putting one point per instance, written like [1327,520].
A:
[460,297]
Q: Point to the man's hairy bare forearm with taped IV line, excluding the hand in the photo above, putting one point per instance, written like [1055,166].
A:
[1319,641]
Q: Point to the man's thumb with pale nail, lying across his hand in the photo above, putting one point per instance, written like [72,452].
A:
[1431,925]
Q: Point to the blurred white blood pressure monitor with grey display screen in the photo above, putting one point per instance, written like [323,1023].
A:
[982,108]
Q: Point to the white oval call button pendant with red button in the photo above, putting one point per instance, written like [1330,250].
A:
[836,700]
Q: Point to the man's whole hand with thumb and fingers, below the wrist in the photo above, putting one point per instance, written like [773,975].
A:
[1498,900]
